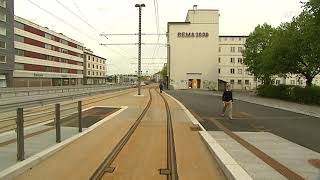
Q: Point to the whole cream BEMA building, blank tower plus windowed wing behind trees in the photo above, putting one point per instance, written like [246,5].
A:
[199,58]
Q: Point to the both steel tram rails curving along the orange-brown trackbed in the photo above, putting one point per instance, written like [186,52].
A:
[170,171]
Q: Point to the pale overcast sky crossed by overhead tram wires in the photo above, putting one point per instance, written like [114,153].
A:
[237,17]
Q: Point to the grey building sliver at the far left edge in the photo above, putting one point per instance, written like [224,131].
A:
[6,42]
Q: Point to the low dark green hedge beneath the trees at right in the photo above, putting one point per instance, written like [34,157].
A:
[307,95]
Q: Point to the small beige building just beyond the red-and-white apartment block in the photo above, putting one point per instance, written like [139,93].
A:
[95,68]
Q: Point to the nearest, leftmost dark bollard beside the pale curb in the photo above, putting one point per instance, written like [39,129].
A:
[20,135]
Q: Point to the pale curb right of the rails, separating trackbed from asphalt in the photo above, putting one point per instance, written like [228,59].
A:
[231,169]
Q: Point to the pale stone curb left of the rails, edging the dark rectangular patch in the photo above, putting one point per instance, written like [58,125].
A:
[23,166]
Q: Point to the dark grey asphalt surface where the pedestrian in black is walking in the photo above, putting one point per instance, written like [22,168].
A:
[298,128]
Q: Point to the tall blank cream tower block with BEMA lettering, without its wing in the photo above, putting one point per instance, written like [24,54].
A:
[193,50]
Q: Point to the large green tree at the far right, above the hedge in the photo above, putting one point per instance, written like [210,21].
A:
[295,46]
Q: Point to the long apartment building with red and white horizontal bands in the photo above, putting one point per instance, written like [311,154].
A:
[44,57]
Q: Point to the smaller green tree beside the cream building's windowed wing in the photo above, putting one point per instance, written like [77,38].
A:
[257,55]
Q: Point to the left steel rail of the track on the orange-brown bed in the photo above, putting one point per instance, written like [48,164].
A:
[105,165]
